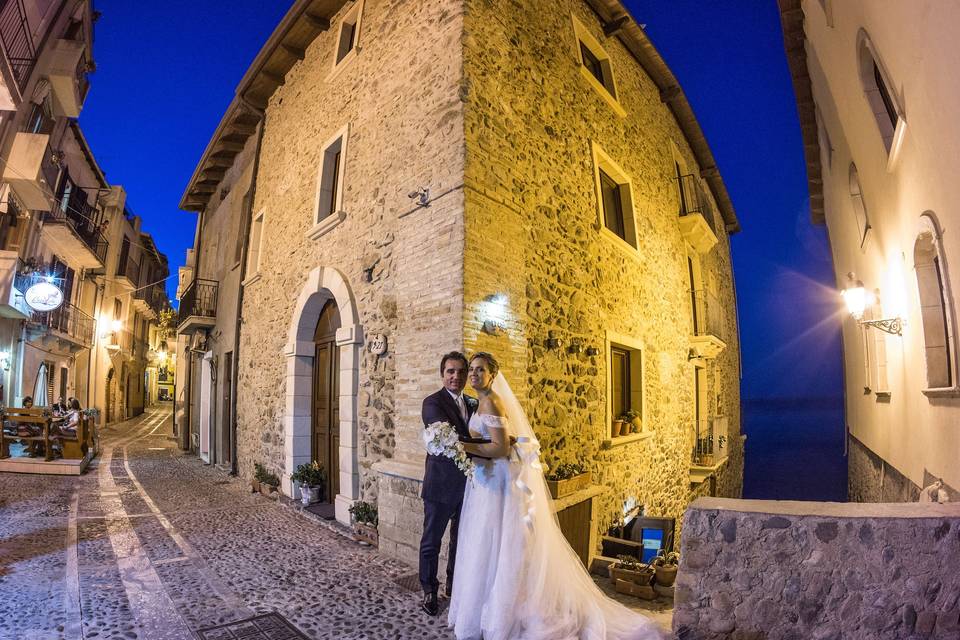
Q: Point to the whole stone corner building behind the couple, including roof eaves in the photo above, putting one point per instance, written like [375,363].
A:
[522,178]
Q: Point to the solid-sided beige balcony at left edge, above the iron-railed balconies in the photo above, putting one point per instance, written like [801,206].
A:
[31,171]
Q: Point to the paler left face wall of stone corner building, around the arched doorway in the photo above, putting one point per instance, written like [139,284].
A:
[399,95]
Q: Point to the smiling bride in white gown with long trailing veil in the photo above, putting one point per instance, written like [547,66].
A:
[516,577]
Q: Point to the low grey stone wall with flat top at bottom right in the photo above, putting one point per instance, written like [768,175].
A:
[753,569]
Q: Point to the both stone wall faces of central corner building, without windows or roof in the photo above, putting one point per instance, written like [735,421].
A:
[482,103]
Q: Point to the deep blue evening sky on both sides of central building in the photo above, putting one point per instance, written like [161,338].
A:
[166,72]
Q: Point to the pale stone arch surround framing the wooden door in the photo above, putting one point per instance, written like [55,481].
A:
[323,284]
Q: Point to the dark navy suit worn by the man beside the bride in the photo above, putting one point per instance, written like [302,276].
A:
[443,485]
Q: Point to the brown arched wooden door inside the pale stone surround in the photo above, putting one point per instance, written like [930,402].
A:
[326,397]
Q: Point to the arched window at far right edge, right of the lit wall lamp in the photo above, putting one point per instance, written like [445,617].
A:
[938,336]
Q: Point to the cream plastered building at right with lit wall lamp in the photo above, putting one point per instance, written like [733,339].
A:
[878,129]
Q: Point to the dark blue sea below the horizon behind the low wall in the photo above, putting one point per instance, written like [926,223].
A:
[794,449]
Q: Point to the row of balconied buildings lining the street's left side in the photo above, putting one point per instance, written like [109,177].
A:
[62,227]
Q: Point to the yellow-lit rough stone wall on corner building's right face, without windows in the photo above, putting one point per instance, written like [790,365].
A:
[532,235]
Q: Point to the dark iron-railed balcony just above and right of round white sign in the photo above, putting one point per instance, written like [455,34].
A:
[73,232]
